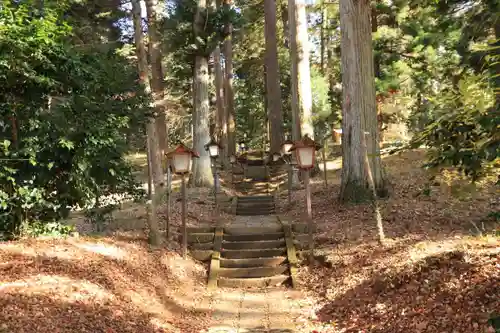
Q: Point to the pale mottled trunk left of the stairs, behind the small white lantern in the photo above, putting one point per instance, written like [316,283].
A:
[201,175]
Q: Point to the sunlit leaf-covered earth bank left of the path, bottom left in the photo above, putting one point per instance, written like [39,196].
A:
[98,285]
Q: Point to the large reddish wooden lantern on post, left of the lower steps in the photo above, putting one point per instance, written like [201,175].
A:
[181,163]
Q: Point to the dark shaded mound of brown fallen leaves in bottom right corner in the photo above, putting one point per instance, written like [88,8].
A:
[443,293]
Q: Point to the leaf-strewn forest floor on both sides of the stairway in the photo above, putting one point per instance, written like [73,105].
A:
[438,272]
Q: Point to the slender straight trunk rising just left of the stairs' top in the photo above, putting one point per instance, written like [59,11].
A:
[228,89]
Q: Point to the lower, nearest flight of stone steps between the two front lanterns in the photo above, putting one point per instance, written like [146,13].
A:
[250,256]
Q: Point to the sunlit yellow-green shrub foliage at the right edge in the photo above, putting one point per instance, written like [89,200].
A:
[465,131]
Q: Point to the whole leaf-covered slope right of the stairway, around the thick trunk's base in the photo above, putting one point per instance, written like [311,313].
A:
[439,270]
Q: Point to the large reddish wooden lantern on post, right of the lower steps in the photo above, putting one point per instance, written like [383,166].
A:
[305,151]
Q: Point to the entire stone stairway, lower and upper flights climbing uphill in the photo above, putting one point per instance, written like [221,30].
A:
[258,249]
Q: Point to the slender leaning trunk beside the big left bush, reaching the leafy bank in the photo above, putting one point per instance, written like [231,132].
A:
[154,157]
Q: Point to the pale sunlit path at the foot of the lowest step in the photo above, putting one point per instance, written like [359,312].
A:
[261,311]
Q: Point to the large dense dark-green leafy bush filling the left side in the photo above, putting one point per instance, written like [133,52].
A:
[65,115]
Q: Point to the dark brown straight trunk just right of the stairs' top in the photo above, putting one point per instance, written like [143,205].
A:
[273,80]
